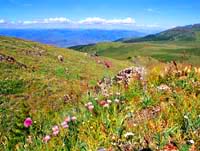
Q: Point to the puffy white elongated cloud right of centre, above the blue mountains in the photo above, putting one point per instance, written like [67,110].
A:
[97,20]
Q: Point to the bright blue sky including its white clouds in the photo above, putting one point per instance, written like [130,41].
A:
[103,14]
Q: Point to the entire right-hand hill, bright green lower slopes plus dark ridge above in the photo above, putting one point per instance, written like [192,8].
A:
[180,44]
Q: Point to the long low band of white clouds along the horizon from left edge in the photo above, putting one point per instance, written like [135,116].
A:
[90,22]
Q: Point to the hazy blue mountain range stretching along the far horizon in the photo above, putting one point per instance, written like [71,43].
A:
[69,37]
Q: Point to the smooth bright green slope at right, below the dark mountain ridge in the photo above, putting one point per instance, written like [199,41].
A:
[188,52]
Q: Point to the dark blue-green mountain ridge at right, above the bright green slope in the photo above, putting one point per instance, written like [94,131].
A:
[185,33]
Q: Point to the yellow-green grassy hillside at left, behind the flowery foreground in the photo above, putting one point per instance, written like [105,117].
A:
[38,90]
